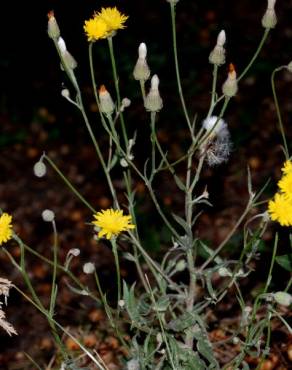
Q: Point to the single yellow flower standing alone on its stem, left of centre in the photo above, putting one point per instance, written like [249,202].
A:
[112,222]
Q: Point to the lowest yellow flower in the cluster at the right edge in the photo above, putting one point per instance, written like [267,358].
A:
[280,209]
